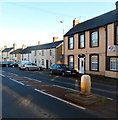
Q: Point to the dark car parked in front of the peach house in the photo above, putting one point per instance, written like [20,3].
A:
[62,69]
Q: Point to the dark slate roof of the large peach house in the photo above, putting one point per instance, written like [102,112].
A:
[102,20]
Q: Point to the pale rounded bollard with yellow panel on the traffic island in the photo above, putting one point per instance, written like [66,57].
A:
[85,84]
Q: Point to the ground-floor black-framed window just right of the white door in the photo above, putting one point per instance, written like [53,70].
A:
[94,62]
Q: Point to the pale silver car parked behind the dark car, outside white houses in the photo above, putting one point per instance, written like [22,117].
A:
[29,66]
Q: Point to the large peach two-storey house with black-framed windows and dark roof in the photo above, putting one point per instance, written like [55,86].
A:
[92,46]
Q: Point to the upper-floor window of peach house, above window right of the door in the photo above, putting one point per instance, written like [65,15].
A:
[94,39]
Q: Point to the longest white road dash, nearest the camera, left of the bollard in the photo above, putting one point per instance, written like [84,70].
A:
[60,99]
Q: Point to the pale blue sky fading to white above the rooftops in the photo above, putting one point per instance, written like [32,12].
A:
[29,22]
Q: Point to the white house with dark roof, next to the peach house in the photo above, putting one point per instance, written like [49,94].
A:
[47,54]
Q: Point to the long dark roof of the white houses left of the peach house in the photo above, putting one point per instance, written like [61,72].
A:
[43,46]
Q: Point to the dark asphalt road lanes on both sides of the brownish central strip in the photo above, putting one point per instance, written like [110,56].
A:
[22,101]
